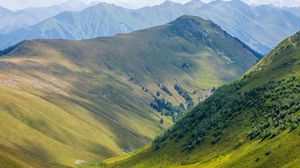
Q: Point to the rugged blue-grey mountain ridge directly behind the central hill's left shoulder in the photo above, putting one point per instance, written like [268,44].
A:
[100,20]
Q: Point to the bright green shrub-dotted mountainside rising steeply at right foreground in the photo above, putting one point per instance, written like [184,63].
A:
[252,122]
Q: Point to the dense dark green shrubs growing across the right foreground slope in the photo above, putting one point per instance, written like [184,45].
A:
[271,108]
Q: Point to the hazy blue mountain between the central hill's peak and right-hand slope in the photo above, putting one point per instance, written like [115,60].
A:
[261,27]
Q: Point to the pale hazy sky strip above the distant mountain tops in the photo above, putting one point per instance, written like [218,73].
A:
[19,4]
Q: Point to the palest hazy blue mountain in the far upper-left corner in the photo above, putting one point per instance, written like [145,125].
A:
[12,21]
